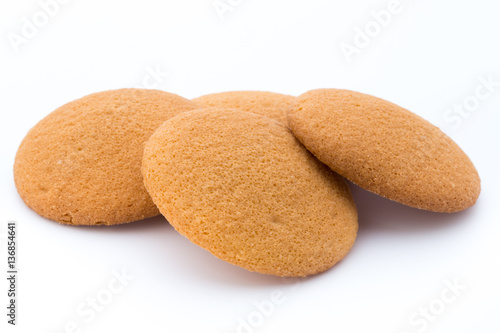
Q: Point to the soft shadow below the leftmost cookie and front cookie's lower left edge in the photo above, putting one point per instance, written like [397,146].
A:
[175,254]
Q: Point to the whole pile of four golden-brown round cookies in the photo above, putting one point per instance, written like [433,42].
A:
[256,178]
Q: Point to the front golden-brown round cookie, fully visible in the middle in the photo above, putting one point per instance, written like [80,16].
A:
[241,186]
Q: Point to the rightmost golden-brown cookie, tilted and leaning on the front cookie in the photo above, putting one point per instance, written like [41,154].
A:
[385,149]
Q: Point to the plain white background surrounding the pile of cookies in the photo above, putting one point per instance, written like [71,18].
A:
[430,56]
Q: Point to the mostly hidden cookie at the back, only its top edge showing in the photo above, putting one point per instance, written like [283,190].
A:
[272,105]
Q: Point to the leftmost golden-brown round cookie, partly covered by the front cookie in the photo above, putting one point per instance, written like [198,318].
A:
[82,163]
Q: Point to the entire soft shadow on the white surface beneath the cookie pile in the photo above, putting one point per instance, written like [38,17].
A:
[154,245]
